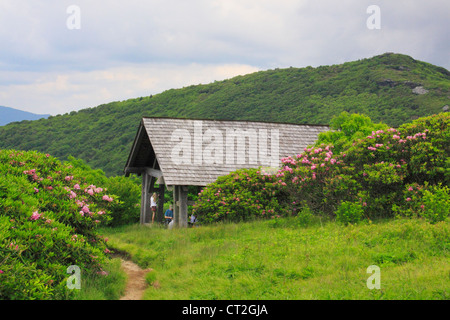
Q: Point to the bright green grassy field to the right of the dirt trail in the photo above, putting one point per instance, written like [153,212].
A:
[282,260]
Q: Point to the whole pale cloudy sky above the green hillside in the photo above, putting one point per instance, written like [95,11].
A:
[58,56]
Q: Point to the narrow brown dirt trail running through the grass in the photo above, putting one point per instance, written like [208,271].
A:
[136,284]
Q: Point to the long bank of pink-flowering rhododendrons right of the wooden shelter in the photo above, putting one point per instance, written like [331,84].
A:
[374,173]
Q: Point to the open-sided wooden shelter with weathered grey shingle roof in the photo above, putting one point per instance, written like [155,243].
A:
[178,153]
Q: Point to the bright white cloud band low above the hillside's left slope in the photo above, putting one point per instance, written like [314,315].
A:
[58,93]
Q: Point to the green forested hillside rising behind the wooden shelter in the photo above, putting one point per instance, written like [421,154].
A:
[391,88]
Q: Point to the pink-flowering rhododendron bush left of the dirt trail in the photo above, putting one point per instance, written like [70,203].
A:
[49,215]
